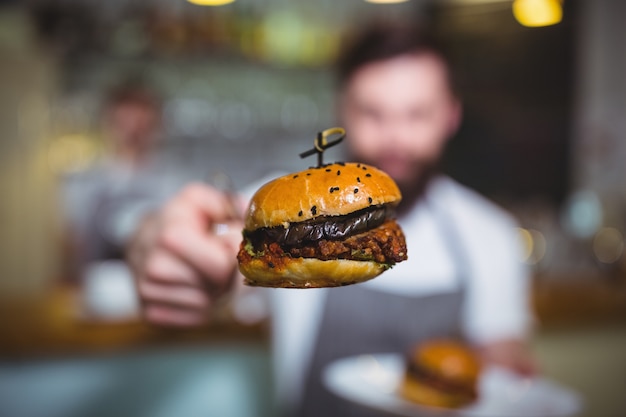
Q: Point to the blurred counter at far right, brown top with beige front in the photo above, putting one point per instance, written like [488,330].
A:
[580,337]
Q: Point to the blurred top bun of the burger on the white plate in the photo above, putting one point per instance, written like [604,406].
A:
[448,359]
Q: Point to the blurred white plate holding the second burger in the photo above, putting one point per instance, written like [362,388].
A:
[373,381]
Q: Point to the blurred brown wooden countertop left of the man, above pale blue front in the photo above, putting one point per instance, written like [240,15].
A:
[55,325]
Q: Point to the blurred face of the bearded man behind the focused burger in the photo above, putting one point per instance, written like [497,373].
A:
[398,115]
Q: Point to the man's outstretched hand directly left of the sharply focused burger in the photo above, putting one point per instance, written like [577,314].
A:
[184,256]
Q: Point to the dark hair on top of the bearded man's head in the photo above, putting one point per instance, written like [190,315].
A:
[383,41]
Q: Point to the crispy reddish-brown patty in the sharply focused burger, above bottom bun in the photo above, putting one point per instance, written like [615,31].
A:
[384,244]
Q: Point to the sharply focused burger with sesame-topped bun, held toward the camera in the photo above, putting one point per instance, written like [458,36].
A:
[327,226]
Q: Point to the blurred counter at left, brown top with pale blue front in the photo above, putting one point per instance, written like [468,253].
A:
[76,366]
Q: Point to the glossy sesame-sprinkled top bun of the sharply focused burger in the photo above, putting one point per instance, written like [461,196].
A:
[331,190]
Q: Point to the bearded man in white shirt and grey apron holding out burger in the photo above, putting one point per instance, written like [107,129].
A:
[463,278]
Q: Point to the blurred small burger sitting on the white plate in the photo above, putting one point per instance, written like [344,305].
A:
[441,373]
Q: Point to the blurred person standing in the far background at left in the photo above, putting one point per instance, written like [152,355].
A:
[128,175]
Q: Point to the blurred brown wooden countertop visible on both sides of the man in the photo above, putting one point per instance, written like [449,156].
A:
[55,324]
